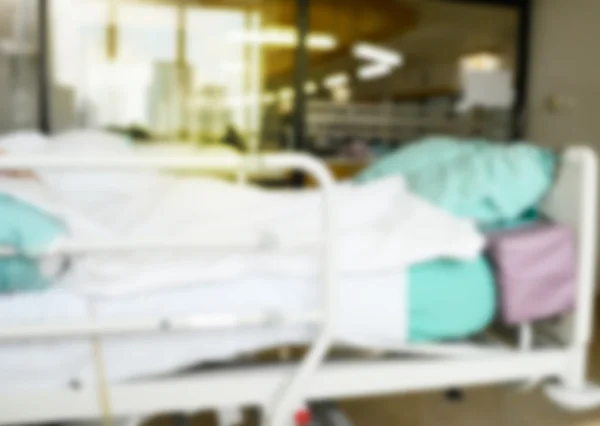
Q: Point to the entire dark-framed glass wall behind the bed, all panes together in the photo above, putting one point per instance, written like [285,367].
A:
[349,81]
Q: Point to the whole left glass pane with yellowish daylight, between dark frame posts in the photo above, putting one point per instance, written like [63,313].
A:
[191,72]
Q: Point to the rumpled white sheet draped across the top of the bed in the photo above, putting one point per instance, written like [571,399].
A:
[380,226]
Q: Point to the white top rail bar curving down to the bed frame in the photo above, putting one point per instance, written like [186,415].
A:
[288,397]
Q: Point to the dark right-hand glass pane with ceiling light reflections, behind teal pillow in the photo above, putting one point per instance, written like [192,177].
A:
[402,71]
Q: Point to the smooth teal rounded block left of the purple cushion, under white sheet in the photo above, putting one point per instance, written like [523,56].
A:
[449,299]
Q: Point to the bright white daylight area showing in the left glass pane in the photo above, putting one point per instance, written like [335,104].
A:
[195,88]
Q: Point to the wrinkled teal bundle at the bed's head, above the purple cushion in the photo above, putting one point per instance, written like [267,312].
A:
[477,179]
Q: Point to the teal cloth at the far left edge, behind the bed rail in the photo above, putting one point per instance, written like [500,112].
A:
[24,227]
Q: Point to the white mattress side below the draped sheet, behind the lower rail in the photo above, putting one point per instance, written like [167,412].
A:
[370,310]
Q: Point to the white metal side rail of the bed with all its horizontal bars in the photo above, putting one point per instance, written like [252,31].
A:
[285,399]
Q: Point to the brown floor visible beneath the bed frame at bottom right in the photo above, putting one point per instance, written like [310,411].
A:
[494,406]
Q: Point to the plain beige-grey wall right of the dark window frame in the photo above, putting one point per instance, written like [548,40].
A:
[565,63]
